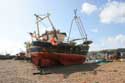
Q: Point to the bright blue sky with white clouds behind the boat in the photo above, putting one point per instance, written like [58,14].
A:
[104,21]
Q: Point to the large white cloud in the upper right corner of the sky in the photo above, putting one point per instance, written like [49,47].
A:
[113,12]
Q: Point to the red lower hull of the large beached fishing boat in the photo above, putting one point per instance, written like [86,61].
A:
[50,59]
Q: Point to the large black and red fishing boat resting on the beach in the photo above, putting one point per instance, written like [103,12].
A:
[50,48]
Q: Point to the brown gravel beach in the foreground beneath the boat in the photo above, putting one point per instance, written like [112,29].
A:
[15,71]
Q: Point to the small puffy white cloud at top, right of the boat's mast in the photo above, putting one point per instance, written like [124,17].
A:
[88,8]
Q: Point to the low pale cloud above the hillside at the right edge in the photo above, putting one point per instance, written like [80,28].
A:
[117,41]
